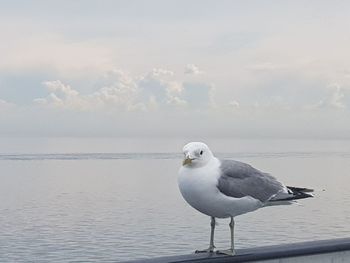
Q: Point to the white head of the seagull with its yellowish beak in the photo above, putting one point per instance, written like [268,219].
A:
[196,154]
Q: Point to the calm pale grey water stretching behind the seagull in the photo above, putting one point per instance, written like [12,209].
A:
[107,200]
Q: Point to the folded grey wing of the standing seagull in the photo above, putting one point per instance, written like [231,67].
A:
[239,179]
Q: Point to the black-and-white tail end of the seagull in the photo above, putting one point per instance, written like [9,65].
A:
[292,194]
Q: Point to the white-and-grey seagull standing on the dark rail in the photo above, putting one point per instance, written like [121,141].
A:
[228,188]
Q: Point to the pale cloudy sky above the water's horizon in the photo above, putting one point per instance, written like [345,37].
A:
[175,68]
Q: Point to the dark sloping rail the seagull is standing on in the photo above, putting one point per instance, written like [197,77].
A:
[333,250]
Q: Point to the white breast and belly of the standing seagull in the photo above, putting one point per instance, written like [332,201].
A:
[198,186]
